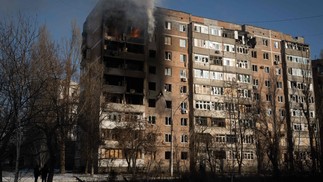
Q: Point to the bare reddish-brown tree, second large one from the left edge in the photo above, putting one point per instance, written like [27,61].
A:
[47,73]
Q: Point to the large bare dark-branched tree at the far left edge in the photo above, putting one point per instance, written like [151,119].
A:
[16,39]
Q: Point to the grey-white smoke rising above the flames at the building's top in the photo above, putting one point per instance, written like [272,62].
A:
[136,13]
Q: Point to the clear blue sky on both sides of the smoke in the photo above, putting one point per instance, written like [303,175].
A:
[294,17]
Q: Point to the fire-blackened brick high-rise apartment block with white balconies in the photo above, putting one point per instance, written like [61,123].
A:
[215,94]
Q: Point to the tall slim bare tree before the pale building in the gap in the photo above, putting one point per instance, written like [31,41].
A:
[69,89]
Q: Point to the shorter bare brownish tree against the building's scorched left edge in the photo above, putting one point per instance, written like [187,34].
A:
[90,112]
